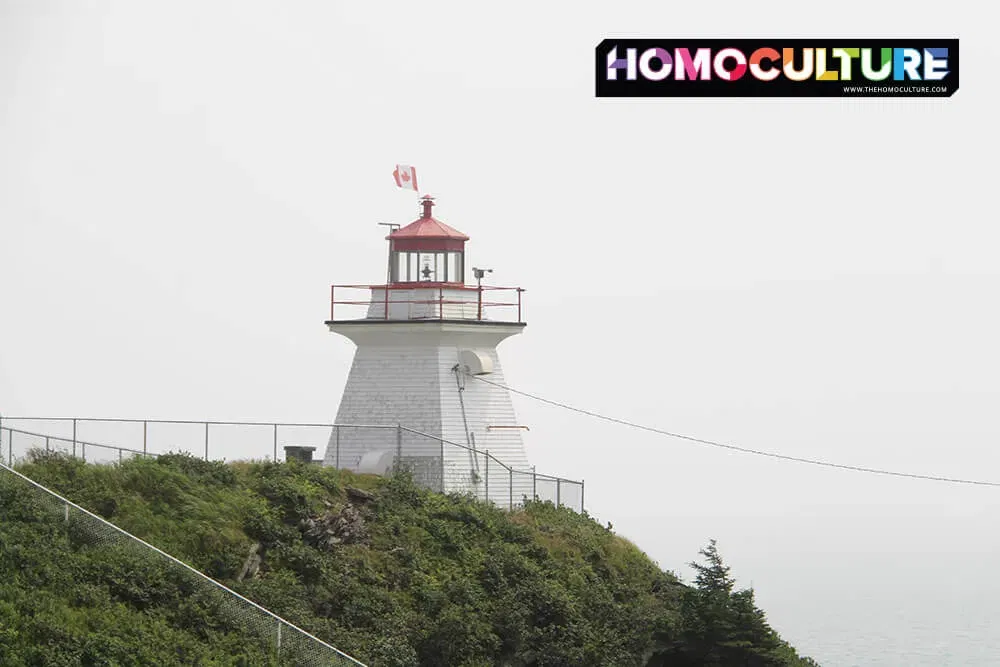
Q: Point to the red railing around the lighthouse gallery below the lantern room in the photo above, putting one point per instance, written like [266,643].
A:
[495,304]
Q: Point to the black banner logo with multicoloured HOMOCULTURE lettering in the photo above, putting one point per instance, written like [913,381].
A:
[777,68]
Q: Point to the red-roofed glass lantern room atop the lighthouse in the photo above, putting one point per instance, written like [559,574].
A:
[427,251]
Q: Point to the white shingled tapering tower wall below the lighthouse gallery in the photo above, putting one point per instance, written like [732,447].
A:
[405,375]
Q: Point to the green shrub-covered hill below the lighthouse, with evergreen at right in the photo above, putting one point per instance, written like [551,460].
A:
[387,572]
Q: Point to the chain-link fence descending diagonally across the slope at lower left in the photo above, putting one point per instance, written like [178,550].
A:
[224,609]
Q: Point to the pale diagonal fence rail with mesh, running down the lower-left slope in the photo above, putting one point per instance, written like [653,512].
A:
[285,637]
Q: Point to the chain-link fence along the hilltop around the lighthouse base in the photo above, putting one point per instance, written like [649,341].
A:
[437,464]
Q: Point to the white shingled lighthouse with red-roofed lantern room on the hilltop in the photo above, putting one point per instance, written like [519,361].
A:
[423,336]
